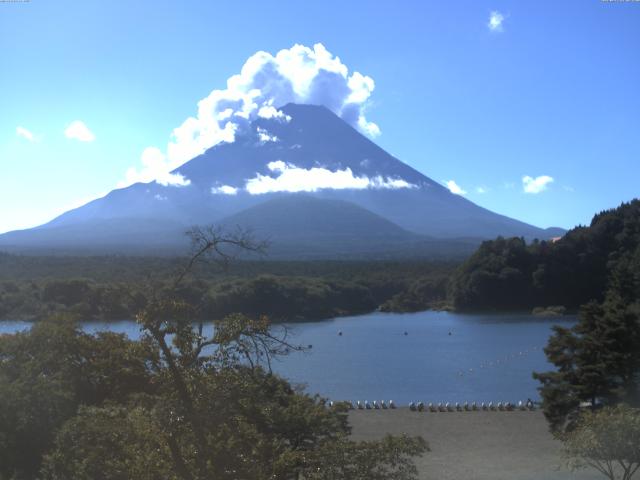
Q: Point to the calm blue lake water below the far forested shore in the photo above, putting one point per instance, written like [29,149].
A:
[486,357]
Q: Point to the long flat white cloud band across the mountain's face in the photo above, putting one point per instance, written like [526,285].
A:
[294,179]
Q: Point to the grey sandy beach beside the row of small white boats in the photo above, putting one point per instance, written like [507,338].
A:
[475,445]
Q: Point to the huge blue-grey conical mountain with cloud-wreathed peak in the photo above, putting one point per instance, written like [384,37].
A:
[297,152]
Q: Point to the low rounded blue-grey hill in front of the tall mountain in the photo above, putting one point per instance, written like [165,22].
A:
[307,227]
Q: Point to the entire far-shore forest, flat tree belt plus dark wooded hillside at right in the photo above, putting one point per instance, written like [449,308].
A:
[505,274]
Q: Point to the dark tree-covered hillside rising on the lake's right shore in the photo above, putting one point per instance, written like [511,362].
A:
[509,274]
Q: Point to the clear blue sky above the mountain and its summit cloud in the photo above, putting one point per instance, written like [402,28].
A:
[552,91]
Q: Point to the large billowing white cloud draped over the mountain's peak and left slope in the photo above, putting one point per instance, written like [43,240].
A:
[299,74]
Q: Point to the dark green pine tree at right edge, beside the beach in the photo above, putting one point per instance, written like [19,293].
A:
[597,360]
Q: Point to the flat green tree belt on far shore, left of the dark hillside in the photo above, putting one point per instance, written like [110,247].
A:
[291,291]
